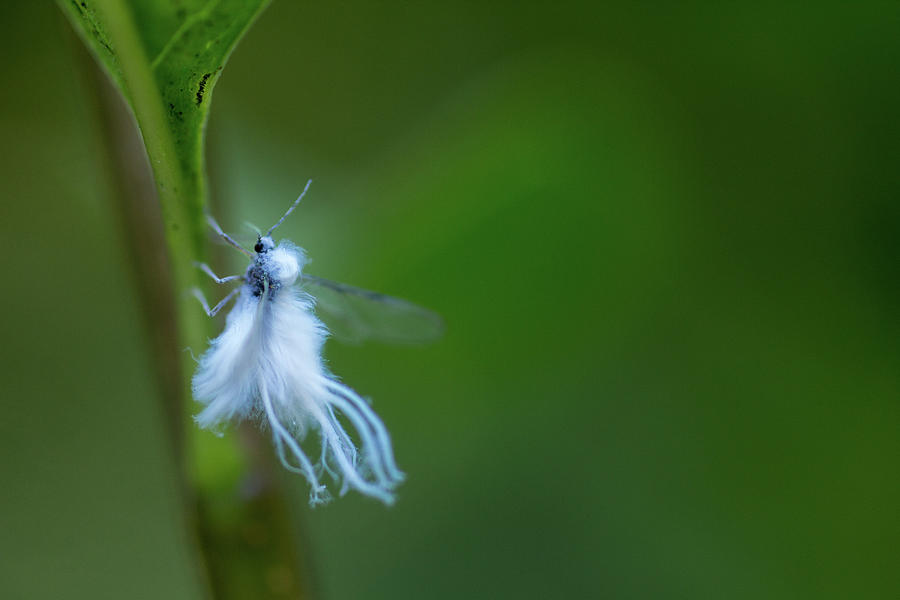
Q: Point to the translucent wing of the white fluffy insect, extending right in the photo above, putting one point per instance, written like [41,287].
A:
[355,315]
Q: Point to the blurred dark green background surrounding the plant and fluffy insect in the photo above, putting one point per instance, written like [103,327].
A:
[664,240]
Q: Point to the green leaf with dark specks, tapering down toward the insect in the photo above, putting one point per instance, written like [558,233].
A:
[166,56]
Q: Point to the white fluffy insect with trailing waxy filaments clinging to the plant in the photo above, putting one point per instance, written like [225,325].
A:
[267,365]
